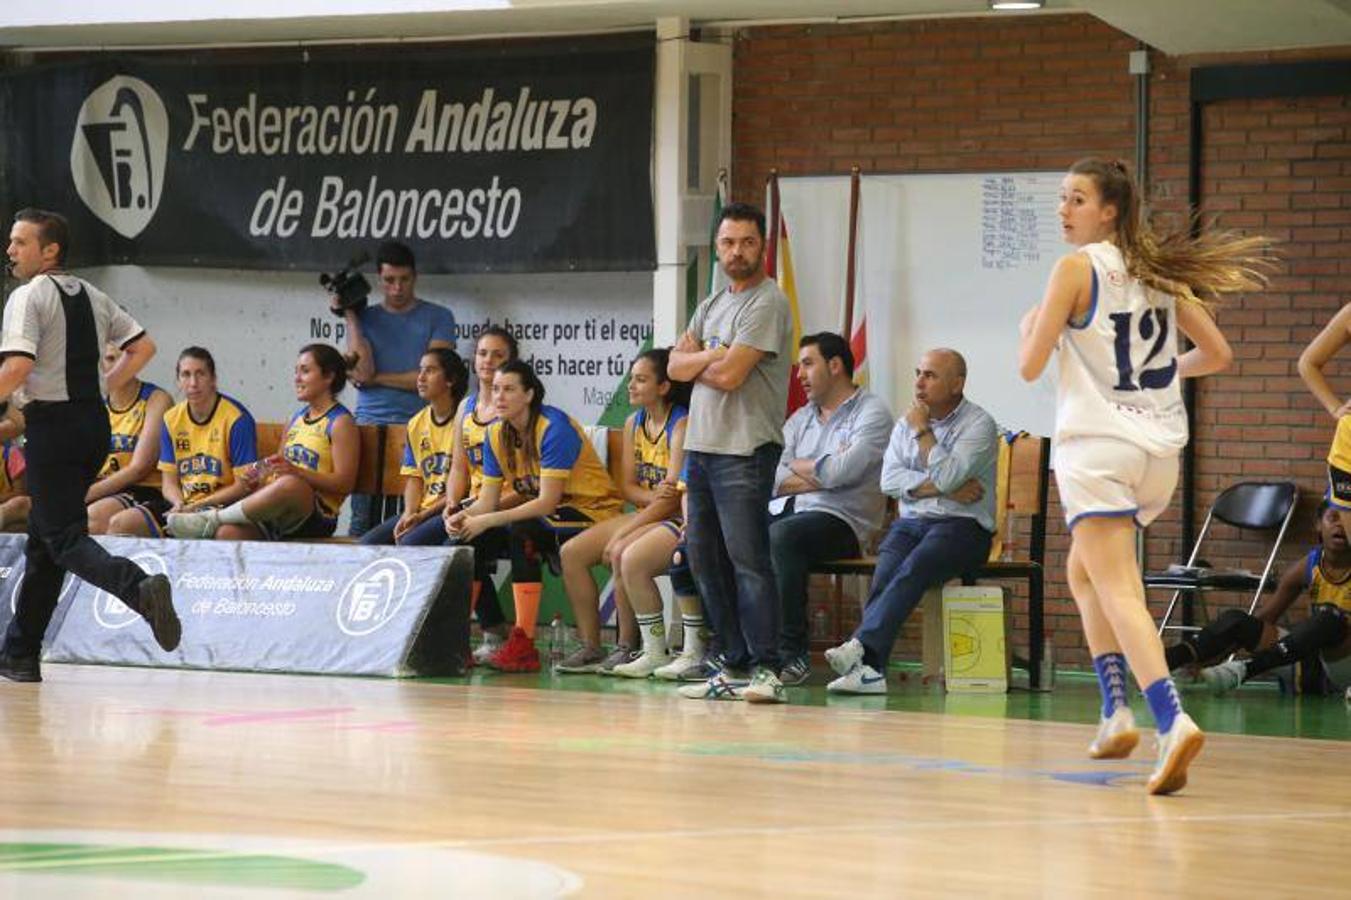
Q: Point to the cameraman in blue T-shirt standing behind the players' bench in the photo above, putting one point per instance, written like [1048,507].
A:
[388,341]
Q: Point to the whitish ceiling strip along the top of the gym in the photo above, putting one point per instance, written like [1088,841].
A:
[1173,26]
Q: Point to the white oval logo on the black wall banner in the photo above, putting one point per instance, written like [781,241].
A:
[118,153]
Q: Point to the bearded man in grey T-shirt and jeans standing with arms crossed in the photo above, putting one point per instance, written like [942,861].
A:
[738,352]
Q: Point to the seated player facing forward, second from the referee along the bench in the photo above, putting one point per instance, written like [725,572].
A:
[206,444]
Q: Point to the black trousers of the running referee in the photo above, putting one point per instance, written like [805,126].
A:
[67,445]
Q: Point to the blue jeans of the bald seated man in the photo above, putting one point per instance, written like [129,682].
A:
[917,556]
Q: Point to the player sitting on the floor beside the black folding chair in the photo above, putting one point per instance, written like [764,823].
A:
[1322,644]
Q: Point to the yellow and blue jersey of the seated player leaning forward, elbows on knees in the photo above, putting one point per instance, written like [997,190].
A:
[564,453]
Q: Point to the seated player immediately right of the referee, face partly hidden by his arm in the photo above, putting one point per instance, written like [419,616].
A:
[129,475]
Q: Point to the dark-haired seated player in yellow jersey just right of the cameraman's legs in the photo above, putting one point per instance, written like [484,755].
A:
[428,455]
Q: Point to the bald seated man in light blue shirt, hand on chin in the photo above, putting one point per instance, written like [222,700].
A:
[941,467]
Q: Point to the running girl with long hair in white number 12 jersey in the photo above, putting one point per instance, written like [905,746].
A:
[1114,310]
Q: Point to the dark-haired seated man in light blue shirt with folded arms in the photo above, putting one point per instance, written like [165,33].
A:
[827,502]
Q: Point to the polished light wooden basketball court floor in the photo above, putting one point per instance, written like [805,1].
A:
[172,784]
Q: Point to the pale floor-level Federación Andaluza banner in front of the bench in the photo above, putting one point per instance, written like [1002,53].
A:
[276,607]
